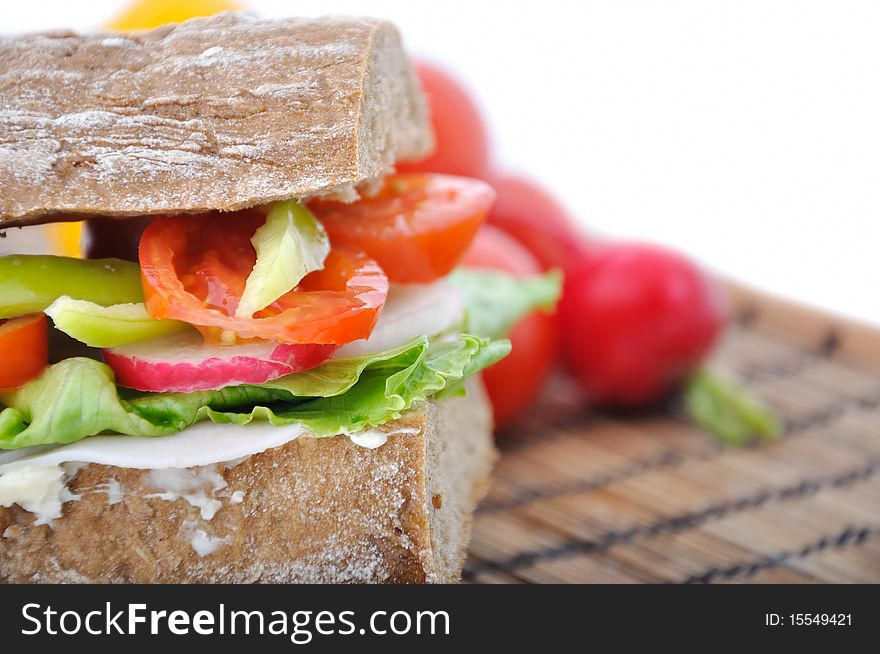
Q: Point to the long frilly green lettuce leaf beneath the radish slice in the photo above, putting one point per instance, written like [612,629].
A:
[77,398]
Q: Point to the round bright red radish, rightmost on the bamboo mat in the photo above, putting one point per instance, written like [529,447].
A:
[636,320]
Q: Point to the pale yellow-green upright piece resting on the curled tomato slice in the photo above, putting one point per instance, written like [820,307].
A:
[290,245]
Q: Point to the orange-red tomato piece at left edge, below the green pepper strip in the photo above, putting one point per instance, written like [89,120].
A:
[24,349]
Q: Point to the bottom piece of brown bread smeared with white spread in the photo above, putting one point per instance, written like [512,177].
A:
[312,510]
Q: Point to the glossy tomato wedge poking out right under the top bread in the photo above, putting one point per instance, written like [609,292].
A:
[417,227]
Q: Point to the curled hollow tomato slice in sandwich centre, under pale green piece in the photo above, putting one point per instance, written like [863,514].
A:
[194,269]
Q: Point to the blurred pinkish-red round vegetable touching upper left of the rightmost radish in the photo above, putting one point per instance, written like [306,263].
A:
[530,214]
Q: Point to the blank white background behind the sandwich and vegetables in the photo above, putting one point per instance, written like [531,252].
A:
[746,133]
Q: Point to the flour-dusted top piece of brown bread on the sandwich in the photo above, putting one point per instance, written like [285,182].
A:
[218,113]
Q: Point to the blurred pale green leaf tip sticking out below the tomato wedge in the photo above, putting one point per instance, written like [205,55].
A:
[495,301]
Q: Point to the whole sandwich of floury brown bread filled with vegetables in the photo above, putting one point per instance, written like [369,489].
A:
[268,370]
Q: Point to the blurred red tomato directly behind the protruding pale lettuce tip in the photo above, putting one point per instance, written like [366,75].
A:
[514,382]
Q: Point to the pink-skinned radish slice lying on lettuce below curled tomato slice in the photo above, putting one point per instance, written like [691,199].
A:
[184,363]
